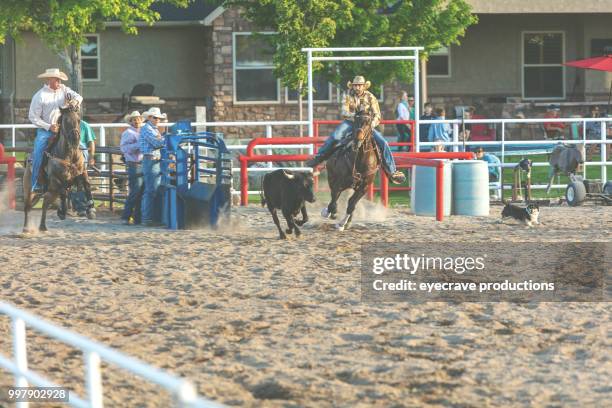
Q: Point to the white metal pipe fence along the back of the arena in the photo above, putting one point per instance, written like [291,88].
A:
[456,144]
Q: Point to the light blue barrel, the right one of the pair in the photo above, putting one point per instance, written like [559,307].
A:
[470,187]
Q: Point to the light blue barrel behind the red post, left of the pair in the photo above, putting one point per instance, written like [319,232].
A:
[423,197]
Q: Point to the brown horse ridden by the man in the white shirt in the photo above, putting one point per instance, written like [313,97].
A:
[65,166]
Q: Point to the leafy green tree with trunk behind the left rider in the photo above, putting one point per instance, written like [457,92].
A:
[63,24]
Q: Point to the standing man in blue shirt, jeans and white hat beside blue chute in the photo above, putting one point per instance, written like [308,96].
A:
[151,141]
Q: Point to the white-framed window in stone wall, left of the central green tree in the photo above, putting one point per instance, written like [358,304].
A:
[254,79]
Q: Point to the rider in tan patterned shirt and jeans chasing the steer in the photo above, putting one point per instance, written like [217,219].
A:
[359,96]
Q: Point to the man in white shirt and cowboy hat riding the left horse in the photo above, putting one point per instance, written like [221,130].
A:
[44,113]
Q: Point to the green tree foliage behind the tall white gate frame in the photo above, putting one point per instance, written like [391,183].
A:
[351,23]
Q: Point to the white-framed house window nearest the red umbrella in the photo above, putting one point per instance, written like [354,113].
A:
[543,72]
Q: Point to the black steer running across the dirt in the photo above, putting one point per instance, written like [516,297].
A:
[287,191]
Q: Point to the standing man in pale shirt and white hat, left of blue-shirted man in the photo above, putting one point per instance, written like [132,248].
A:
[130,147]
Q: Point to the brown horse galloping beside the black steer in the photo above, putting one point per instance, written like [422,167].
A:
[352,165]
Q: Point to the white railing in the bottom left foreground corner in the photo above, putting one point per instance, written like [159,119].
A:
[183,391]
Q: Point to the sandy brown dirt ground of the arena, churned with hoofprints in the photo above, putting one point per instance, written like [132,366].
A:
[254,321]
